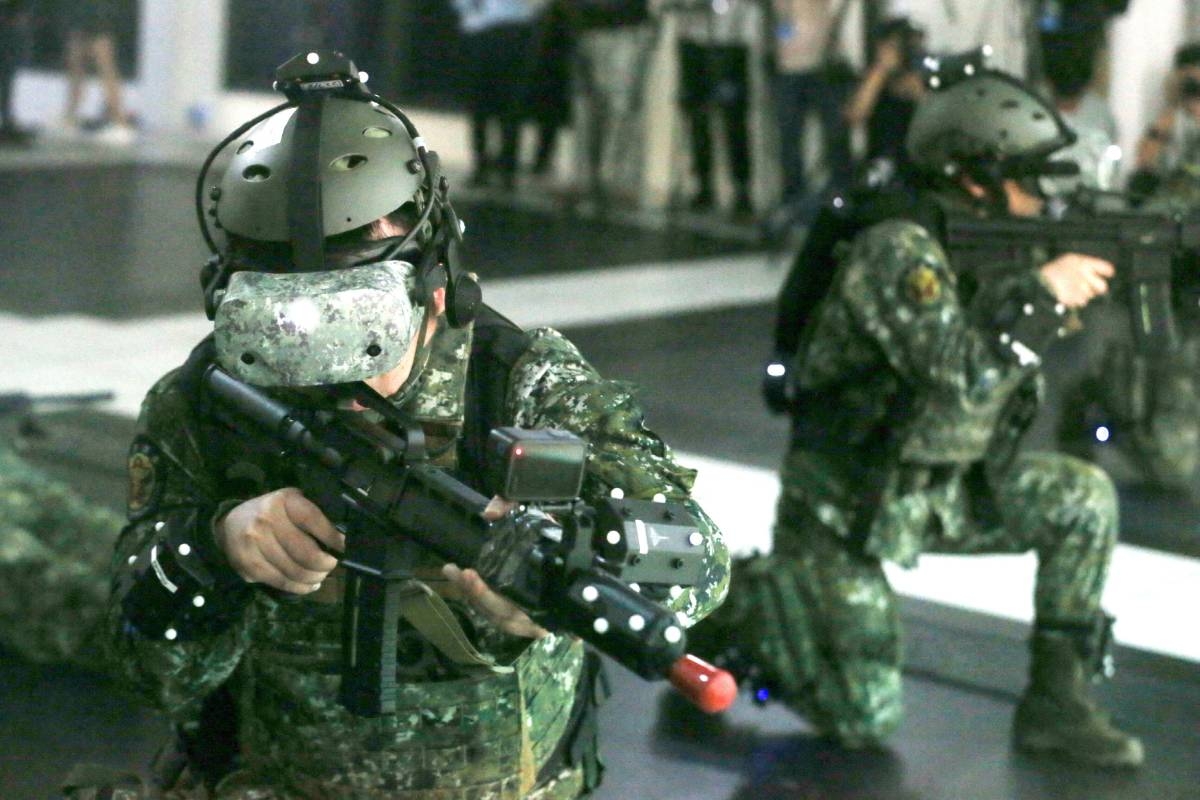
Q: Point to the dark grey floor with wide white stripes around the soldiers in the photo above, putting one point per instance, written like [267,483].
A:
[99,292]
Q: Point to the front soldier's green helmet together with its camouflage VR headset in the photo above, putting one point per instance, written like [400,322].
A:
[301,293]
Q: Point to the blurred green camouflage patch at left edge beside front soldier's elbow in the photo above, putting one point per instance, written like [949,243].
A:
[55,554]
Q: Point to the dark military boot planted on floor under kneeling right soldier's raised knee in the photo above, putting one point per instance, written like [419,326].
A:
[1057,715]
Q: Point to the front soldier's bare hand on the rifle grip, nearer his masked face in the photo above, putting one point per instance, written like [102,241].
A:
[273,539]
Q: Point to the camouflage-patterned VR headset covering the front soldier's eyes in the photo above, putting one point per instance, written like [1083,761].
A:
[317,328]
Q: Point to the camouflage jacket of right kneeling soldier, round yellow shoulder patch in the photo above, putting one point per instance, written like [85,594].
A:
[909,396]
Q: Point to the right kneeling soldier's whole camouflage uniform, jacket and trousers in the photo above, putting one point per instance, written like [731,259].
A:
[905,442]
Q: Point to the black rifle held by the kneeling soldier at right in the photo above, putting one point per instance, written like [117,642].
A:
[1145,249]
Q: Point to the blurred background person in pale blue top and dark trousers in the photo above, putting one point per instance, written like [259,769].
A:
[496,37]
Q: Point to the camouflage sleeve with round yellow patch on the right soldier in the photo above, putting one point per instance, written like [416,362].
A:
[898,287]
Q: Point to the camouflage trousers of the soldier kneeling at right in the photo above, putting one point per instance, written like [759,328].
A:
[821,623]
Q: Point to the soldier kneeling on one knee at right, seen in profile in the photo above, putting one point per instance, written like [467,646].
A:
[911,395]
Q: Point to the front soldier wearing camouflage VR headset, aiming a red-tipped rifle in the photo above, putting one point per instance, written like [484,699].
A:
[377,225]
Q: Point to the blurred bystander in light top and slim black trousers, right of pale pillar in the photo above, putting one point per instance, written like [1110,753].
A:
[715,81]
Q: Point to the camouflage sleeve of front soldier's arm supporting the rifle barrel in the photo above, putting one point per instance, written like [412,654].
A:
[554,387]
